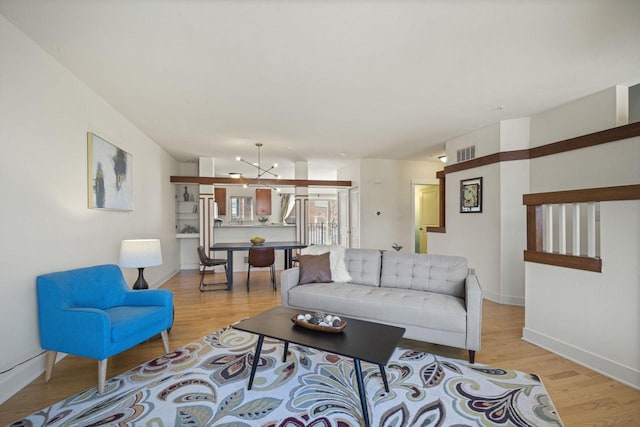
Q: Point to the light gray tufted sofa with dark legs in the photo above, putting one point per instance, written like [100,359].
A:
[432,296]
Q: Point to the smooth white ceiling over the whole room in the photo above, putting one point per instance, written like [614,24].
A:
[326,81]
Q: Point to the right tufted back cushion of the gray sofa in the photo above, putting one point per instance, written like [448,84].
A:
[424,272]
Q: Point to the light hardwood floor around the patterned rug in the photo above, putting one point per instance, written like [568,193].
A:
[582,397]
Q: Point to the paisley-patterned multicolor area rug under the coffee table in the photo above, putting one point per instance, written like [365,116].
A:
[205,384]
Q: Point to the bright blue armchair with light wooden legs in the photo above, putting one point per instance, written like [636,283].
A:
[91,312]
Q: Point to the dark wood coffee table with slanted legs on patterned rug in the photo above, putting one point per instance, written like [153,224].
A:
[360,340]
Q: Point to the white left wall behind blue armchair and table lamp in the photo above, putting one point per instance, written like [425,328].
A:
[45,113]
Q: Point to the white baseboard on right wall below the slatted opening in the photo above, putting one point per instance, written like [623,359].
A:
[609,368]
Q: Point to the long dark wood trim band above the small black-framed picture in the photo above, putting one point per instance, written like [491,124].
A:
[602,137]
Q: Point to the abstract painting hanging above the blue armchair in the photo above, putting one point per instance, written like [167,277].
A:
[110,179]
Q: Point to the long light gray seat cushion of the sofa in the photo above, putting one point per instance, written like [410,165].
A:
[400,306]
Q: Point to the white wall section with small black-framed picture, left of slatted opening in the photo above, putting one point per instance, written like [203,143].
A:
[492,241]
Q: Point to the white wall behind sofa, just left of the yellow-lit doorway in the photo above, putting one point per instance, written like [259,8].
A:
[386,187]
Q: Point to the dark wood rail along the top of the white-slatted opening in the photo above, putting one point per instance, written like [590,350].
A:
[601,194]
